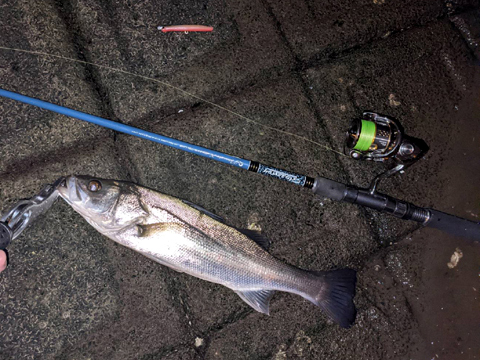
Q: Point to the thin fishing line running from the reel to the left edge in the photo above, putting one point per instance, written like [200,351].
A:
[39,53]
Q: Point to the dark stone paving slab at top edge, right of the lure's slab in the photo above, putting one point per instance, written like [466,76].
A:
[317,29]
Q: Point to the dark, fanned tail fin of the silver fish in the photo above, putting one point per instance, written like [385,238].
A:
[335,295]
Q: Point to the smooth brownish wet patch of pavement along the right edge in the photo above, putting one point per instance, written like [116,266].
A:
[448,308]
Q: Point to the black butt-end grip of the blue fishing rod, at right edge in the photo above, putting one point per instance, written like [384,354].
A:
[454,225]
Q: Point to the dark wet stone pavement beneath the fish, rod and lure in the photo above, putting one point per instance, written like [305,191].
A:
[306,68]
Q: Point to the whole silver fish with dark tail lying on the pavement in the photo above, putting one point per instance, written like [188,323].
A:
[190,239]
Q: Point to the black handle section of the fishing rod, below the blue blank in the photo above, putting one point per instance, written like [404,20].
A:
[404,210]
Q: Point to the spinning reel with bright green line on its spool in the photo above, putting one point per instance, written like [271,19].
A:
[380,138]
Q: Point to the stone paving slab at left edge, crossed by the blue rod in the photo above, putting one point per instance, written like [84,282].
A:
[38,144]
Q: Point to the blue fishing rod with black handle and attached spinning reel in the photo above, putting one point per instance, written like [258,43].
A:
[374,137]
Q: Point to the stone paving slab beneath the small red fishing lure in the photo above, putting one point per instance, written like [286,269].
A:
[243,47]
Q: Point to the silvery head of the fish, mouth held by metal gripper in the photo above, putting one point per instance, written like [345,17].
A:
[108,205]
